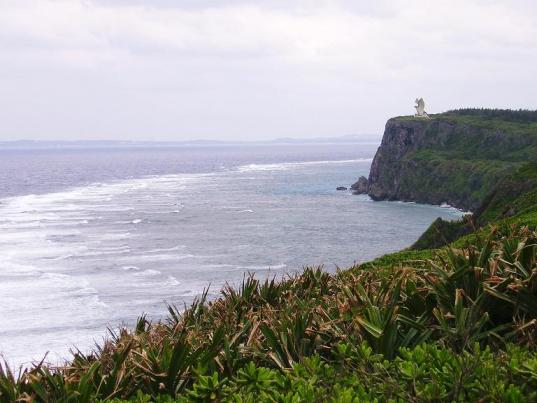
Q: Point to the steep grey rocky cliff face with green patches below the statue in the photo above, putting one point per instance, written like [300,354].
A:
[435,161]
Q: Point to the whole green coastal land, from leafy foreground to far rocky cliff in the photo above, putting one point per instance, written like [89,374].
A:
[452,318]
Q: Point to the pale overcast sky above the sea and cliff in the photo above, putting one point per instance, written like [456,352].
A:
[254,70]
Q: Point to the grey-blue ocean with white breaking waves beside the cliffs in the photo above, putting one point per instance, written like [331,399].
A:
[93,237]
